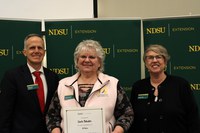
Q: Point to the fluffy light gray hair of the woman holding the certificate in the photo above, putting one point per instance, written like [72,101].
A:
[87,45]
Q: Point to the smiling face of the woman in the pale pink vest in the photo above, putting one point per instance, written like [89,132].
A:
[88,61]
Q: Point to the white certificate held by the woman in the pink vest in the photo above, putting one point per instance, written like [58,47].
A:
[84,120]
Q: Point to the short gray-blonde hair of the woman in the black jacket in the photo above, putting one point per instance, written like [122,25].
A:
[159,49]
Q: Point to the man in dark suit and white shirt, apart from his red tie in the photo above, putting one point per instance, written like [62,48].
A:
[20,108]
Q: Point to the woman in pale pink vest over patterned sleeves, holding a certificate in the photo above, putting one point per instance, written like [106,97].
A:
[90,87]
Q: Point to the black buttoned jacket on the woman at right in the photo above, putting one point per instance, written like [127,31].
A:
[175,111]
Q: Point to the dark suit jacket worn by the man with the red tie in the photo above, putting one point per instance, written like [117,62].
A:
[20,110]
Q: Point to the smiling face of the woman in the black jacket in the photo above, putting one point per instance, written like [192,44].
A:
[155,63]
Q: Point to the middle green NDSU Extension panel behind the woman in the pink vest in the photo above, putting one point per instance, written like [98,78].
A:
[119,38]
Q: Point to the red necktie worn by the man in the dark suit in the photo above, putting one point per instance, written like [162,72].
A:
[40,90]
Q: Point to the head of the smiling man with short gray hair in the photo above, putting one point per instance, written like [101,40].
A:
[34,51]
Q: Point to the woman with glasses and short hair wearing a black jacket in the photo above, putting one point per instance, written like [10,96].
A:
[162,103]
